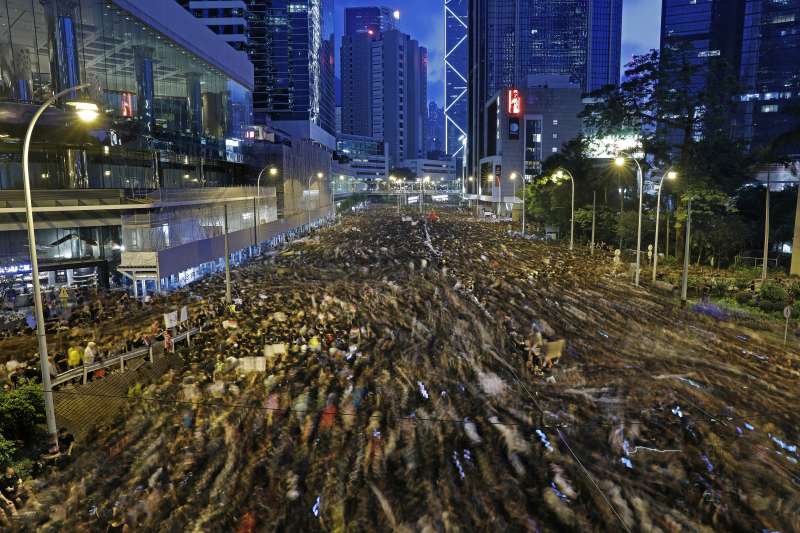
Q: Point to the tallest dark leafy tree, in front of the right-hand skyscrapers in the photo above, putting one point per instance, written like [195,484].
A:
[679,125]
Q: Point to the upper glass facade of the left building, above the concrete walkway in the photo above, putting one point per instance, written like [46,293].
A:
[168,108]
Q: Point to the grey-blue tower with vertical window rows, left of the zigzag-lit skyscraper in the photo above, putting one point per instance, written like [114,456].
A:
[384,91]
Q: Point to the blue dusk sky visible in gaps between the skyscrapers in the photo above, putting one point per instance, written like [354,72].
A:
[423,20]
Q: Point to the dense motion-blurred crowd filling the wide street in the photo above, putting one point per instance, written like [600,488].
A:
[431,372]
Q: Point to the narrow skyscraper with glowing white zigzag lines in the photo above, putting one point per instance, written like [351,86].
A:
[455,74]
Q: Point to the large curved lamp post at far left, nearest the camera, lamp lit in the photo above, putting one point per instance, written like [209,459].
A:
[87,112]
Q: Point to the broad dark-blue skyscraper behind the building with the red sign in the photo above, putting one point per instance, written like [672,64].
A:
[512,40]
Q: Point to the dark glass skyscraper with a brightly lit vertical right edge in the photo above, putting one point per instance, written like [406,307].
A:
[290,43]
